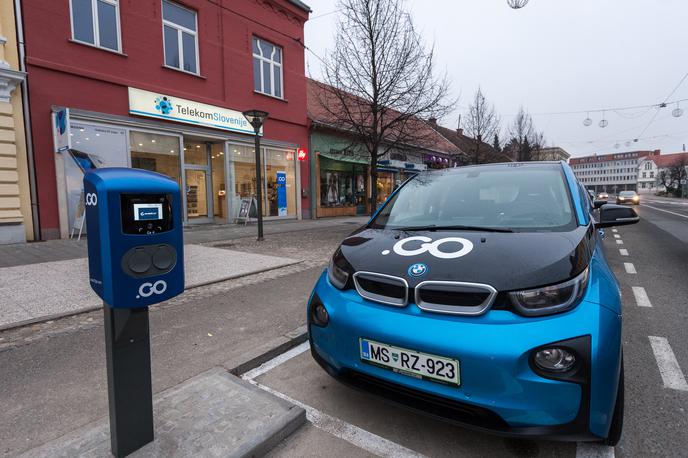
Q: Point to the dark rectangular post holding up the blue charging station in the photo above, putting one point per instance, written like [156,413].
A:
[130,395]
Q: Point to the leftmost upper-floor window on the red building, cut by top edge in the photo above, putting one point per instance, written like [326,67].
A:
[96,22]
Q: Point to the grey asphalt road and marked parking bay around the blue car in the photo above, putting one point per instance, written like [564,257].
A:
[345,422]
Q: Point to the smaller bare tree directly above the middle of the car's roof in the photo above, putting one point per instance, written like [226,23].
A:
[482,123]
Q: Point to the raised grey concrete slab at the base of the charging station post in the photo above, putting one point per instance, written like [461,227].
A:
[213,414]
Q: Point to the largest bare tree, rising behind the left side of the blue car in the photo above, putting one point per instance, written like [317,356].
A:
[381,80]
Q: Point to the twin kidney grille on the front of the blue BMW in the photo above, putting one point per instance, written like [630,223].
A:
[457,298]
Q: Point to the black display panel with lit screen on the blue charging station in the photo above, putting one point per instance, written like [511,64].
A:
[146,213]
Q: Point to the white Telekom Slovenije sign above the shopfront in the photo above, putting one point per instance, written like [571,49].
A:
[163,106]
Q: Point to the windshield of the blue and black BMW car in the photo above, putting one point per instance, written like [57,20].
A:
[504,197]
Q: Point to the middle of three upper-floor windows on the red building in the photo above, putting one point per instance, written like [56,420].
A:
[180,37]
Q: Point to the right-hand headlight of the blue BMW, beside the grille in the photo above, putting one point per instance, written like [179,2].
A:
[551,299]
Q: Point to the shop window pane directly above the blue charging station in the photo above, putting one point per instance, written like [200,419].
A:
[155,152]
